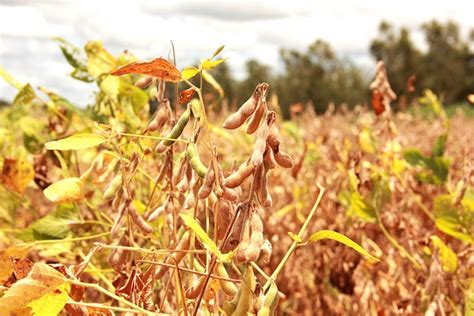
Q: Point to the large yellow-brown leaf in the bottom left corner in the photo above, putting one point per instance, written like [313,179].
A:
[43,292]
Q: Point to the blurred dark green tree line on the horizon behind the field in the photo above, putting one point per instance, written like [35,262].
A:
[318,75]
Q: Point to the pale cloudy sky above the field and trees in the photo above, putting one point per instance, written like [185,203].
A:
[249,29]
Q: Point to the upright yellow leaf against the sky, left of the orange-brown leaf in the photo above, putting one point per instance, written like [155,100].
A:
[99,60]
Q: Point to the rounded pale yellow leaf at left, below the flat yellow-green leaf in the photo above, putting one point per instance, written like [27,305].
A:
[66,190]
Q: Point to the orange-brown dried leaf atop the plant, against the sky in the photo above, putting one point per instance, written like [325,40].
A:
[157,67]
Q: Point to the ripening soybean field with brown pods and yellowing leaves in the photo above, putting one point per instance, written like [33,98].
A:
[161,198]
